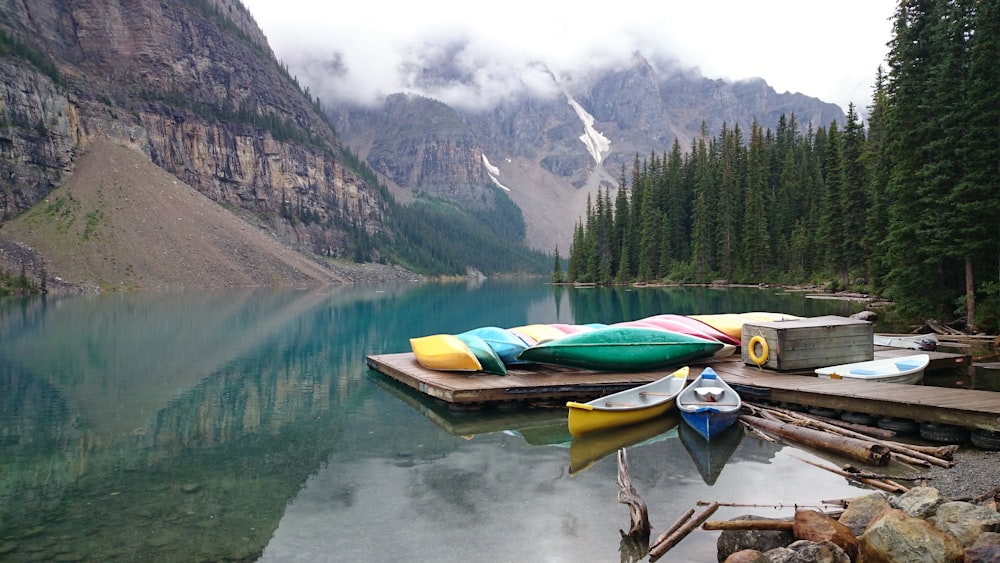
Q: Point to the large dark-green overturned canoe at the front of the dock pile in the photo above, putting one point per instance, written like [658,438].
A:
[621,348]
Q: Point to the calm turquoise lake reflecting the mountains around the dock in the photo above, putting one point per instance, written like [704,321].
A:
[245,425]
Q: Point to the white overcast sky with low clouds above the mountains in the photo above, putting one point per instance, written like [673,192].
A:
[364,49]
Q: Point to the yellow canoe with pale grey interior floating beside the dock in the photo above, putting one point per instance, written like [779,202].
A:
[627,407]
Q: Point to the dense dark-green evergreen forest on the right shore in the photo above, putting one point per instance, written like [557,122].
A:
[906,206]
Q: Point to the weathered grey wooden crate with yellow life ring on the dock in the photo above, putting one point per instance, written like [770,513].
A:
[807,344]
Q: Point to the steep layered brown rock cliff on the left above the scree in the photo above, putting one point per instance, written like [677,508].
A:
[192,84]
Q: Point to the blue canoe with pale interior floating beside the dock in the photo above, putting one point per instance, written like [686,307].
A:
[709,405]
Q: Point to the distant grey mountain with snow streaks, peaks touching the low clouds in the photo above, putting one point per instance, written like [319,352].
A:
[549,154]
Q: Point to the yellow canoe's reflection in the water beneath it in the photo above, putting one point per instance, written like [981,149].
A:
[588,449]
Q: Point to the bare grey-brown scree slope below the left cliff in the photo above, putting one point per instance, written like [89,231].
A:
[120,222]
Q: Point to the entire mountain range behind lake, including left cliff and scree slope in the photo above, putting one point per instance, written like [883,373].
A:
[193,88]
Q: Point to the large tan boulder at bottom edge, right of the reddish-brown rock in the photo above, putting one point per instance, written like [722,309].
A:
[895,536]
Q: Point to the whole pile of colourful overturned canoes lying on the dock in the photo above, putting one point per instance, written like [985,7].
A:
[652,343]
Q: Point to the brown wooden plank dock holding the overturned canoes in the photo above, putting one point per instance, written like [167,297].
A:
[552,384]
